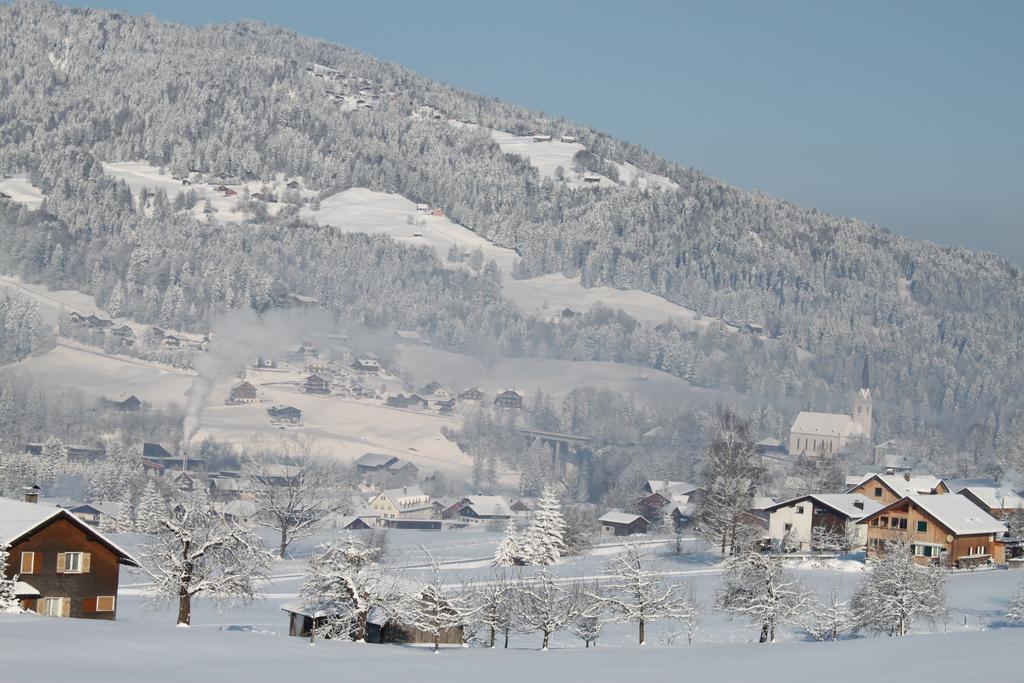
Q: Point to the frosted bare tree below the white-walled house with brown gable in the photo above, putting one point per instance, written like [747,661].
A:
[757,588]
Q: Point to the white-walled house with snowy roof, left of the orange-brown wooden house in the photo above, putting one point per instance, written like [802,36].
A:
[795,521]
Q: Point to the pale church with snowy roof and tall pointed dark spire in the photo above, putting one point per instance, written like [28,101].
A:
[826,434]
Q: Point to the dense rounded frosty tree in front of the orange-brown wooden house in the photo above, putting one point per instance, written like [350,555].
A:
[898,592]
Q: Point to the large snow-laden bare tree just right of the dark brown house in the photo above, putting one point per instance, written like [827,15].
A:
[198,552]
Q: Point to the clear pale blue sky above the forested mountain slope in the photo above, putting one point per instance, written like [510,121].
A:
[906,114]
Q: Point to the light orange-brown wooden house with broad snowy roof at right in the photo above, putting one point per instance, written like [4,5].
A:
[948,531]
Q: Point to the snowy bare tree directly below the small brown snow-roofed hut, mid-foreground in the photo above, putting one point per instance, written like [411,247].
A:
[636,594]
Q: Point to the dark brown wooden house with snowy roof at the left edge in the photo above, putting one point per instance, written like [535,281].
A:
[65,567]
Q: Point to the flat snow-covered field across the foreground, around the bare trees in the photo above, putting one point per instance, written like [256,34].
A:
[251,644]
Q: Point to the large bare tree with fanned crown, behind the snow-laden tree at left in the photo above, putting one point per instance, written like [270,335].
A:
[294,500]
